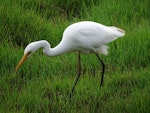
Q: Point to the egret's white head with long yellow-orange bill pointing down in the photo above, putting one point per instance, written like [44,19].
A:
[31,48]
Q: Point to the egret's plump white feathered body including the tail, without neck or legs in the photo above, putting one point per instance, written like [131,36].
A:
[90,36]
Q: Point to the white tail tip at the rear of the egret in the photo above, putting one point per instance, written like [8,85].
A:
[117,31]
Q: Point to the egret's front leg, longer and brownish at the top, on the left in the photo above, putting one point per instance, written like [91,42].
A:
[78,73]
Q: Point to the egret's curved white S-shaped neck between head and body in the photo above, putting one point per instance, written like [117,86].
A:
[58,50]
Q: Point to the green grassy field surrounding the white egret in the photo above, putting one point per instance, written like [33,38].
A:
[42,84]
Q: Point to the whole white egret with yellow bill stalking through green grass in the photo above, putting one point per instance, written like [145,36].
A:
[86,37]
